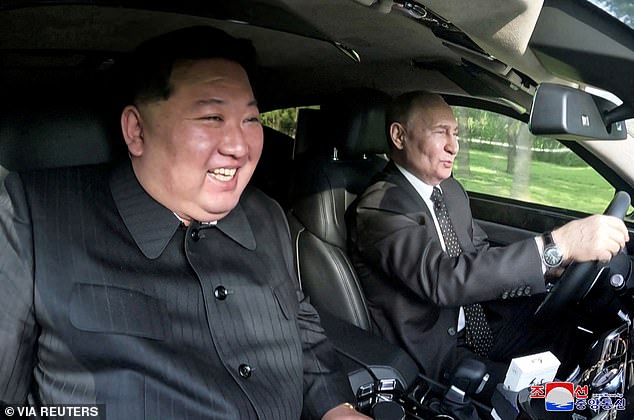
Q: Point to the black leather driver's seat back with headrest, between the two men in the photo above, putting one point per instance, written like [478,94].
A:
[350,149]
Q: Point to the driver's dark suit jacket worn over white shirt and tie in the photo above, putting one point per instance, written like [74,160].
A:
[414,289]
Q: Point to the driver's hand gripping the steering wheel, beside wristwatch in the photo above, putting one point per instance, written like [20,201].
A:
[595,238]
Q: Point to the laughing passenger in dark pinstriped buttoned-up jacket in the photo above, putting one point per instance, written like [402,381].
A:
[163,287]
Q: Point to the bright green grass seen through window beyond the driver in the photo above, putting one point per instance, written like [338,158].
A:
[554,185]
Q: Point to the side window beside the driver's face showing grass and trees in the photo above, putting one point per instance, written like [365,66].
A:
[500,157]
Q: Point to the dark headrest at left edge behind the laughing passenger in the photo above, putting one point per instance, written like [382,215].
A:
[38,137]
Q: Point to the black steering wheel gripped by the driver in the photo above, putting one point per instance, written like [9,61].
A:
[578,278]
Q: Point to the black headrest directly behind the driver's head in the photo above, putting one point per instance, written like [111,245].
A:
[357,120]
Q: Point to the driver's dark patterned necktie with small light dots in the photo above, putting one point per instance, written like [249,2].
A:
[478,334]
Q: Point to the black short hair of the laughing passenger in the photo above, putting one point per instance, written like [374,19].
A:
[153,60]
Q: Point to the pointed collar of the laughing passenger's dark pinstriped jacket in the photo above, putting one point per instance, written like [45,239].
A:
[152,225]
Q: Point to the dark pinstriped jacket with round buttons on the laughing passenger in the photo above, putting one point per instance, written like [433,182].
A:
[107,298]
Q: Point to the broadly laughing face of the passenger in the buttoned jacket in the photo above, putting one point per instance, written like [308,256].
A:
[198,149]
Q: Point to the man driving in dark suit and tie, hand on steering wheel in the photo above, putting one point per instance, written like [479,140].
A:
[426,265]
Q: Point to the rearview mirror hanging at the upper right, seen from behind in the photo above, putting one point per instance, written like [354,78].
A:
[571,114]
